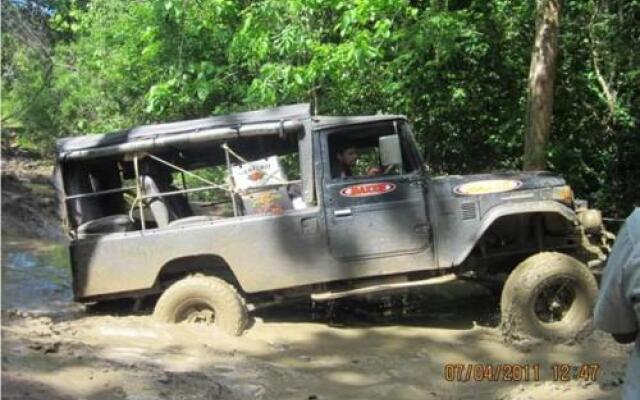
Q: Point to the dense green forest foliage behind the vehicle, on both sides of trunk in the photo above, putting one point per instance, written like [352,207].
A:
[458,69]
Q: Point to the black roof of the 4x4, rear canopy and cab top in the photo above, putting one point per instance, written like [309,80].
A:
[295,112]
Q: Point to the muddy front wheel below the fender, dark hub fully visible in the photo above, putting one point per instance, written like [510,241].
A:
[550,296]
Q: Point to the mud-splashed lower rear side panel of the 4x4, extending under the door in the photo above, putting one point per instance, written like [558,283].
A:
[264,253]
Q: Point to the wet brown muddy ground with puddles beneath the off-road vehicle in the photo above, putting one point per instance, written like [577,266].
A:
[53,348]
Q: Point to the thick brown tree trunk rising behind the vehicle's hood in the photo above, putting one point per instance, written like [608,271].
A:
[541,77]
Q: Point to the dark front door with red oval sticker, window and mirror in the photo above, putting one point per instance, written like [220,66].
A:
[374,213]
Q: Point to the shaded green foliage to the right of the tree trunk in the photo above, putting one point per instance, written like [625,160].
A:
[596,146]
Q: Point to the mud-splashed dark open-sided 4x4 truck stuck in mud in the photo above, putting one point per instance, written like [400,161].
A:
[221,215]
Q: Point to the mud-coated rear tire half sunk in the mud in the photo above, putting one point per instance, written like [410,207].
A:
[204,292]
